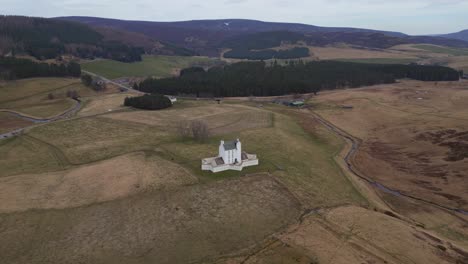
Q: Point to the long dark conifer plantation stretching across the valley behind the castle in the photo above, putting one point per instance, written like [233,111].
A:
[260,79]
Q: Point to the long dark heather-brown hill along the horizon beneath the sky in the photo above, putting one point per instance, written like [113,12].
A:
[209,37]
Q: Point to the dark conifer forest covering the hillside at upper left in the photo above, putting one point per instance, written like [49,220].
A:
[48,39]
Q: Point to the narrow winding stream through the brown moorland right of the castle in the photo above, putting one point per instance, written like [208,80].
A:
[355,144]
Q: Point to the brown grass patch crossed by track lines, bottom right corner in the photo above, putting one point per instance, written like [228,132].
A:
[350,235]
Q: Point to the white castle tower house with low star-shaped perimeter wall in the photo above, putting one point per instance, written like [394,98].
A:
[230,157]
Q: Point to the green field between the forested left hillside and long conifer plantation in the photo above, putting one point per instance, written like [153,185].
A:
[156,66]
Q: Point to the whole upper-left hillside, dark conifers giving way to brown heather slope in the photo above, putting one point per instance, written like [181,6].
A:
[49,38]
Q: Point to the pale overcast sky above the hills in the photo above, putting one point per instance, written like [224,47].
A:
[408,16]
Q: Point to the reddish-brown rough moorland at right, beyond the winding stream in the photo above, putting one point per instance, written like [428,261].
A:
[404,128]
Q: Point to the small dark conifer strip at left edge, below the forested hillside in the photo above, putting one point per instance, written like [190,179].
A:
[13,68]
